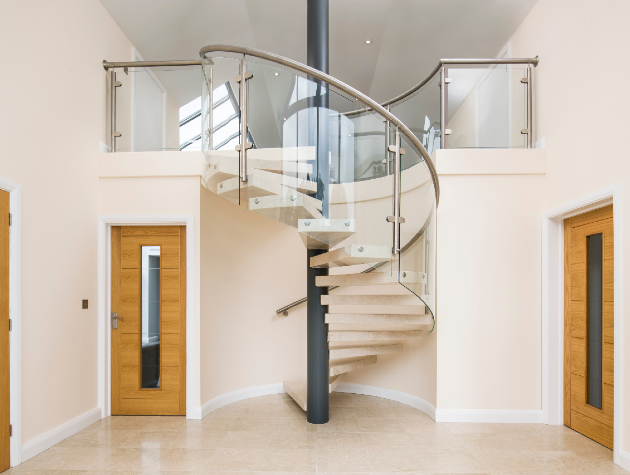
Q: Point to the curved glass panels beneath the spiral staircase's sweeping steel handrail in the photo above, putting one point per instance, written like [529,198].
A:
[321,164]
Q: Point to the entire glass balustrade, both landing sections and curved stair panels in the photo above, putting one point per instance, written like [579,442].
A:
[318,159]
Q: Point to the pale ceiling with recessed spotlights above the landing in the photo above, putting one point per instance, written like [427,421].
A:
[408,37]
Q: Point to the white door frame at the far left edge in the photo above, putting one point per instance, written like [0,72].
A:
[15,303]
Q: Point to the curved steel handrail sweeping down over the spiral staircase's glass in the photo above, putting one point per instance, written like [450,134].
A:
[274,58]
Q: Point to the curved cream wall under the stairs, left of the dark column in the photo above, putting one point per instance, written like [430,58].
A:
[250,266]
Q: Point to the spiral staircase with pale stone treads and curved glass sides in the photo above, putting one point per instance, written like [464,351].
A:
[350,177]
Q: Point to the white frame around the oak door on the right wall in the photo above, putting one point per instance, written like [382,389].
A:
[553,305]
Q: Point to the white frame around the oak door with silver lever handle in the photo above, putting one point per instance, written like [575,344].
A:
[105,224]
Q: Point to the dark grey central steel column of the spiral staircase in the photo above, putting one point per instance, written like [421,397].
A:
[317,330]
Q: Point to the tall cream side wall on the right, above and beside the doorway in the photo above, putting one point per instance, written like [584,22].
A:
[578,42]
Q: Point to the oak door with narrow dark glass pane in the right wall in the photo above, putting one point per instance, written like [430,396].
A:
[589,325]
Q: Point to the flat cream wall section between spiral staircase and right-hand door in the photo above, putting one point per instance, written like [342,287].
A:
[489,279]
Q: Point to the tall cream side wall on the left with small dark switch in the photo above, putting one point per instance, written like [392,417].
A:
[53,116]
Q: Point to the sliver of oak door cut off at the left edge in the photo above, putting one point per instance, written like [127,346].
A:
[5,419]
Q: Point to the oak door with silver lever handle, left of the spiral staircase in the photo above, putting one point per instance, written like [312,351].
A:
[148,320]
